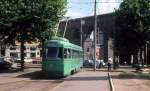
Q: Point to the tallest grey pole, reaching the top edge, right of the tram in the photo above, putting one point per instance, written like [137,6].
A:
[95,29]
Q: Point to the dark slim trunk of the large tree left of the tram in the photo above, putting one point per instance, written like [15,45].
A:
[22,55]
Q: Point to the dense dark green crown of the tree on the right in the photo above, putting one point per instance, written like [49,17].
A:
[132,26]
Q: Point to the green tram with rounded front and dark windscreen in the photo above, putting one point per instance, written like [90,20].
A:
[61,58]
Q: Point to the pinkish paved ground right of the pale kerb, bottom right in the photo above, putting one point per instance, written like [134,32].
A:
[129,84]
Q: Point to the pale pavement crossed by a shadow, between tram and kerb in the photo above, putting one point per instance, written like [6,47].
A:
[85,81]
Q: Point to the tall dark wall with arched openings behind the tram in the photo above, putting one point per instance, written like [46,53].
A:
[105,26]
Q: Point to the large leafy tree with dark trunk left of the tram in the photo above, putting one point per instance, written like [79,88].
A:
[25,20]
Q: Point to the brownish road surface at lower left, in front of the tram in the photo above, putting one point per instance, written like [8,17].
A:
[29,80]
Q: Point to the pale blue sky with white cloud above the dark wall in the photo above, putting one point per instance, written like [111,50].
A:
[82,8]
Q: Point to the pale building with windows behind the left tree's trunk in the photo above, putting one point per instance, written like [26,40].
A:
[31,51]
